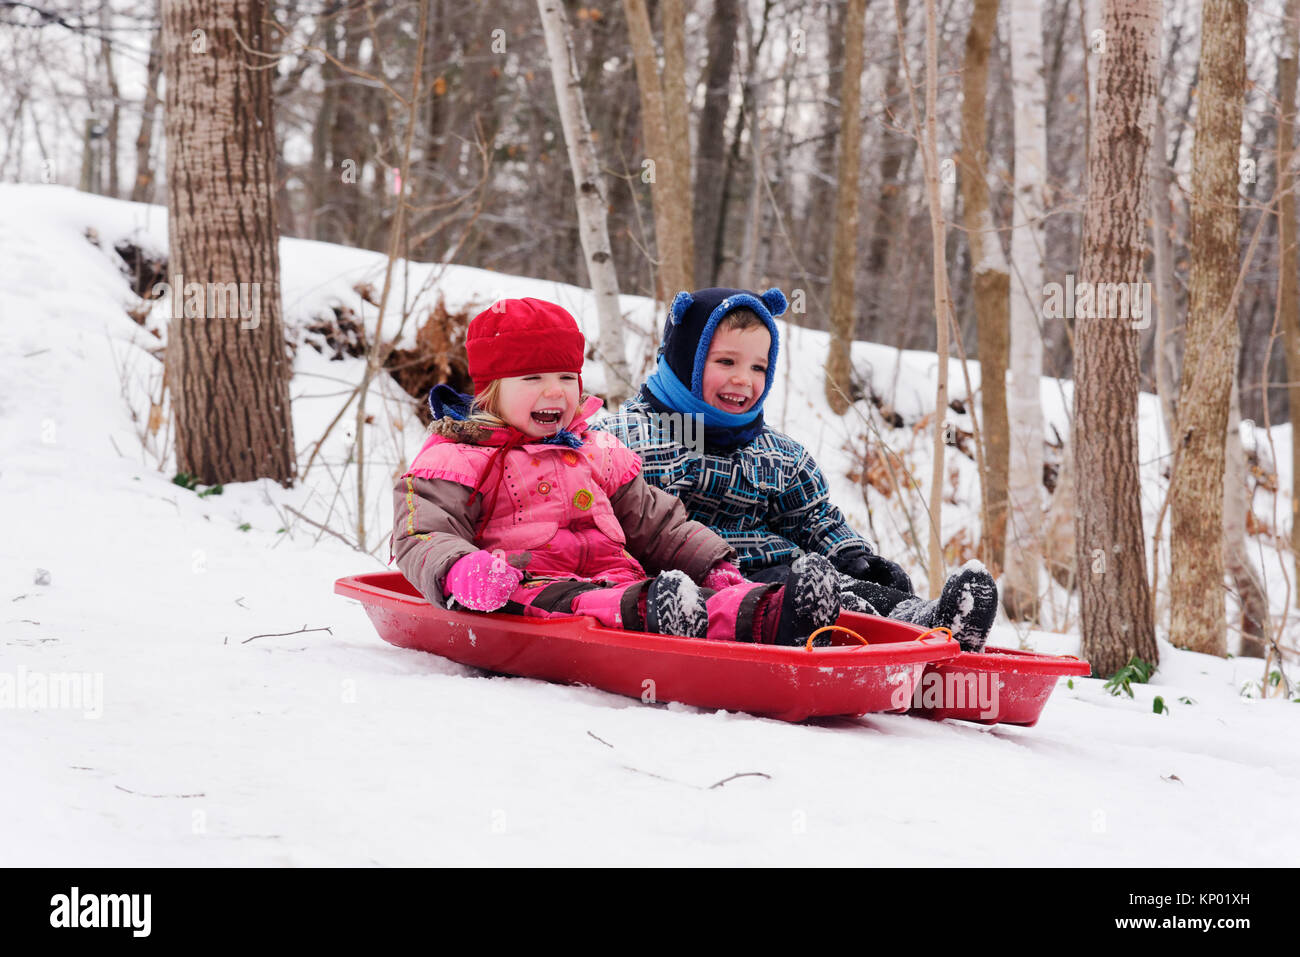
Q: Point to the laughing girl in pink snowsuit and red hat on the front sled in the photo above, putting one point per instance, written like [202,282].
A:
[514,505]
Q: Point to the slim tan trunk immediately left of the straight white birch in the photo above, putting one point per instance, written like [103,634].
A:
[991,282]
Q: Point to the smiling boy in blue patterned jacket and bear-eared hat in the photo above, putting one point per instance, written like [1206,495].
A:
[757,488]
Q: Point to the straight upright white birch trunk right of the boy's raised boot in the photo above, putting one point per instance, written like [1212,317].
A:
[1025,404]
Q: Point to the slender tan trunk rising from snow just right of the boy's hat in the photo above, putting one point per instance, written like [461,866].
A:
[844,253]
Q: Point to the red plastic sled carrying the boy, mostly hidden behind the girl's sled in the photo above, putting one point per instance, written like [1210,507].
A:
[999,686]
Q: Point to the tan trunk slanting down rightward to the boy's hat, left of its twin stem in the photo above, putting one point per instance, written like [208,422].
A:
[655,127]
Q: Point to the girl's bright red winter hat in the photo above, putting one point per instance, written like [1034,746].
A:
[523,337]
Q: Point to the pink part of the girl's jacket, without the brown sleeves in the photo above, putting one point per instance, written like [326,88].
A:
[552,513]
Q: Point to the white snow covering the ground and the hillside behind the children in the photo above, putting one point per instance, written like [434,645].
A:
[216,733]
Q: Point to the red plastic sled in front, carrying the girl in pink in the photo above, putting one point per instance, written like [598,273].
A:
[787,683]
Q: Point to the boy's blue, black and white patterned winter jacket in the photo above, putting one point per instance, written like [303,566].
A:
[769,499]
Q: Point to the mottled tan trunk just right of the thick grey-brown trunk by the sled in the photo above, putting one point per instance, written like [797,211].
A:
[1199,617]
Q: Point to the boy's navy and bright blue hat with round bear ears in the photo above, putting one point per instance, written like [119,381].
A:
[694,319]
